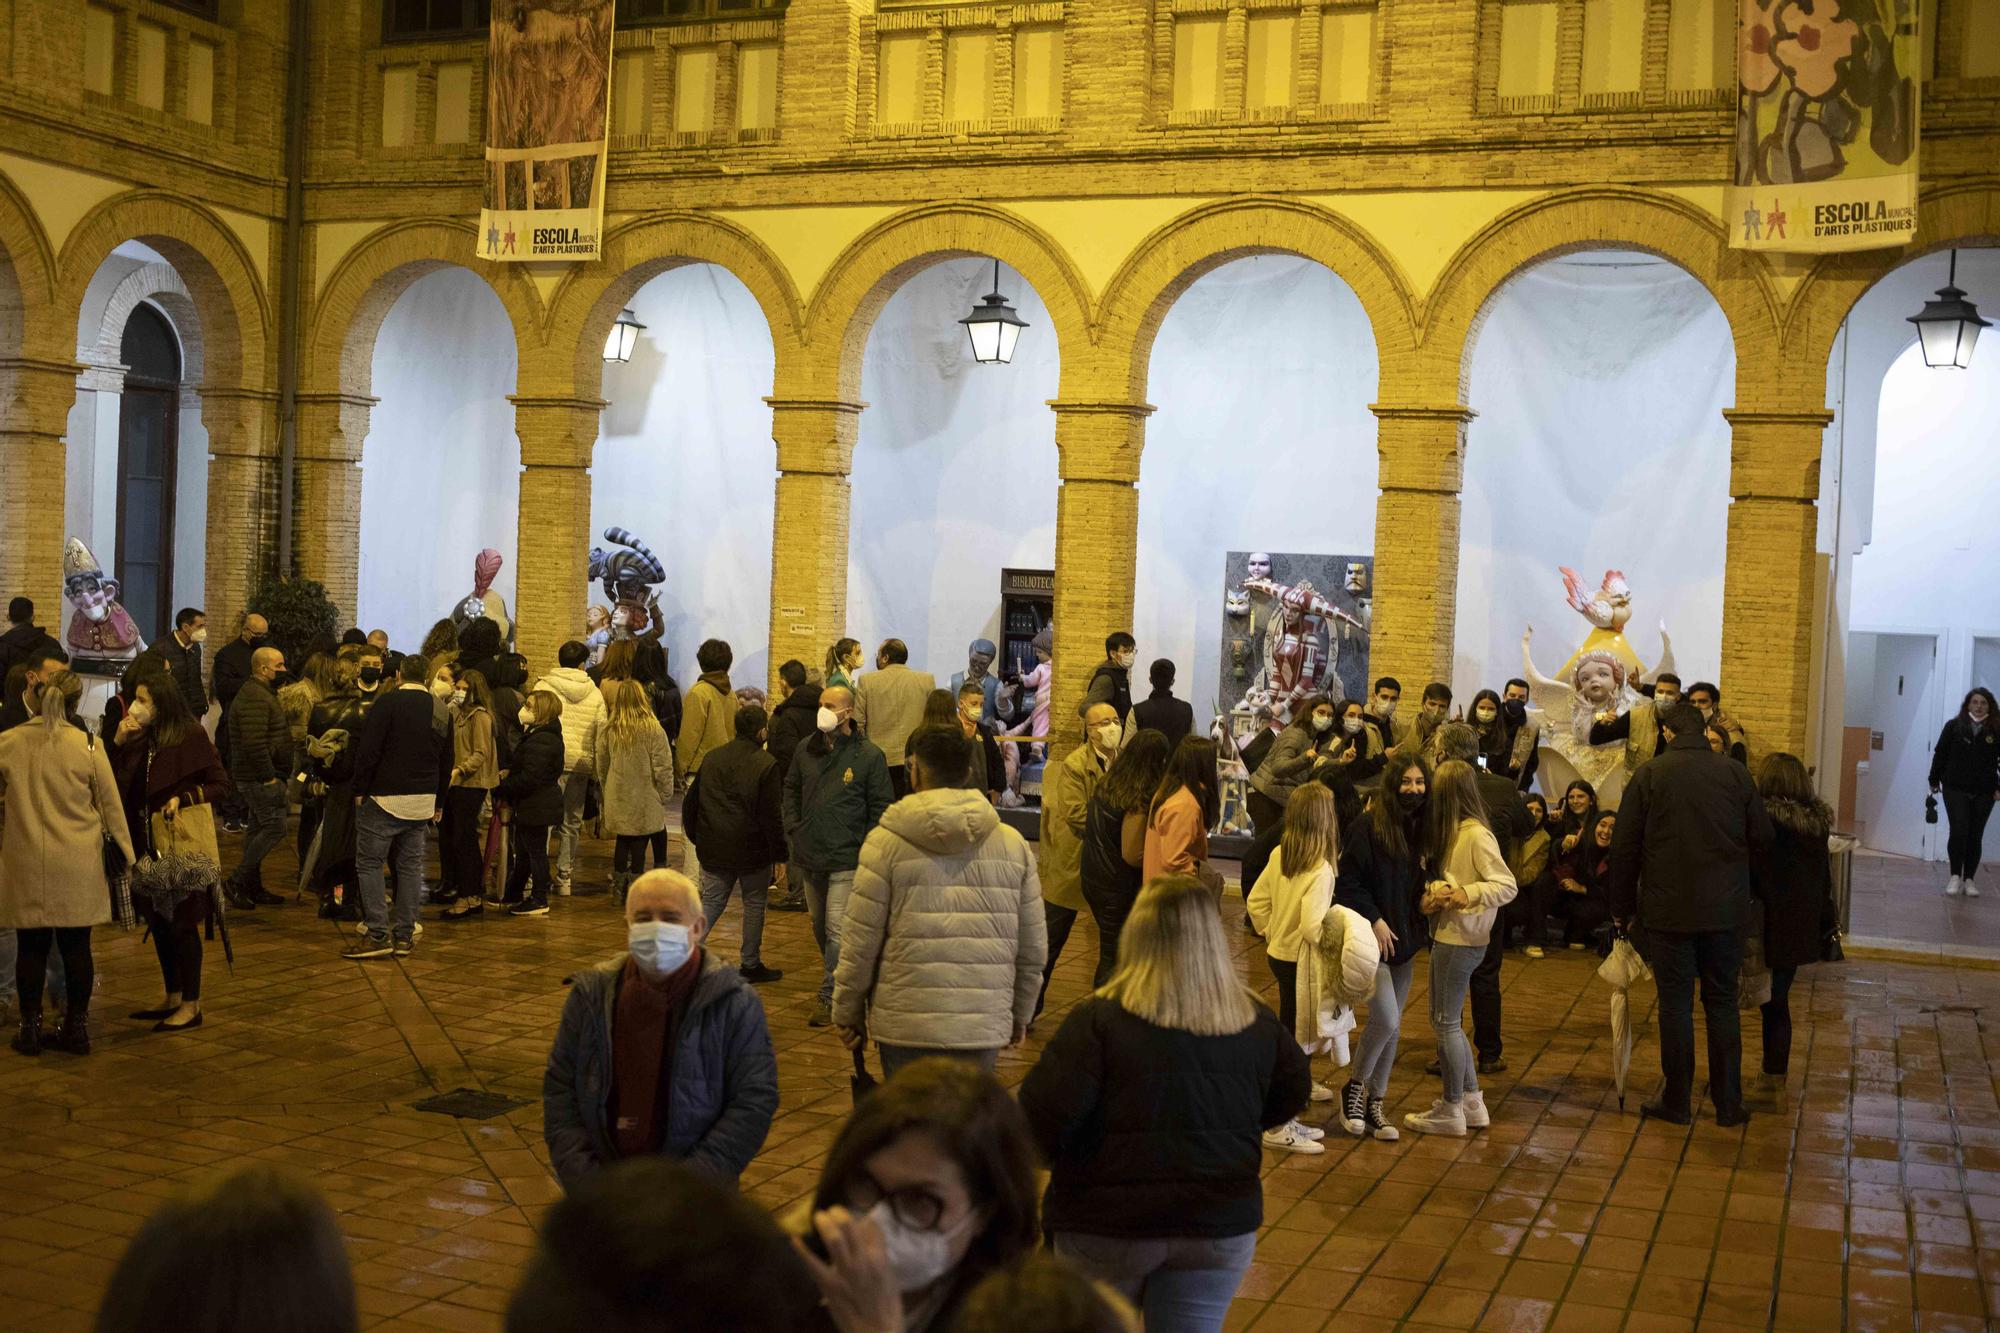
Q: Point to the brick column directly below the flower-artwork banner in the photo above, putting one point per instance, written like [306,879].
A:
[1767,585]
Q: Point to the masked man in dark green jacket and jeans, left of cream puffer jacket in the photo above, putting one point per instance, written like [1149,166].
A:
[835,794]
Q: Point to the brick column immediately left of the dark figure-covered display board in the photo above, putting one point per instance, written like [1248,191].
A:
[1097,545]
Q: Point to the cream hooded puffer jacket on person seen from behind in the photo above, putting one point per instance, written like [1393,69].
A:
[945,938]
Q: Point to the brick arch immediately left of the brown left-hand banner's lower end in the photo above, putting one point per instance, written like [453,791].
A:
[367,283]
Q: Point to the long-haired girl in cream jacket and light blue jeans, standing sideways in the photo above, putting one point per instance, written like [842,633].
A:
[1463,906]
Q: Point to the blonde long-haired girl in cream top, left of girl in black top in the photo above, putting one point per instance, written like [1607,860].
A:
[1287,908]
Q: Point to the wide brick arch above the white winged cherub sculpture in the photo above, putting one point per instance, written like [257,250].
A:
[1595,219]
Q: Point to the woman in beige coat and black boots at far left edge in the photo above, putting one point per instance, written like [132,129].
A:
[63,806]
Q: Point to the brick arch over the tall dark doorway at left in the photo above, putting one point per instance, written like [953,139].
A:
[213,263]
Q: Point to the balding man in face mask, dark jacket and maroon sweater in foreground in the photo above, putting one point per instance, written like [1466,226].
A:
[663,1050]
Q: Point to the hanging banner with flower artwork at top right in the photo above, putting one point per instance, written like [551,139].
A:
[1825,125]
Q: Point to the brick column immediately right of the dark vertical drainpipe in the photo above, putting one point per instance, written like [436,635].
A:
[327,495]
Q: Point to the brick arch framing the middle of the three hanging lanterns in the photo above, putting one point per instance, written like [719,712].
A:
[897,249]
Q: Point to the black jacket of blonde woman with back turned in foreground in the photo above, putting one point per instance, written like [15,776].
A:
[1153,1132]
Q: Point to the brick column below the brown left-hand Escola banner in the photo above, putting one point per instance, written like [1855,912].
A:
[553,549]
